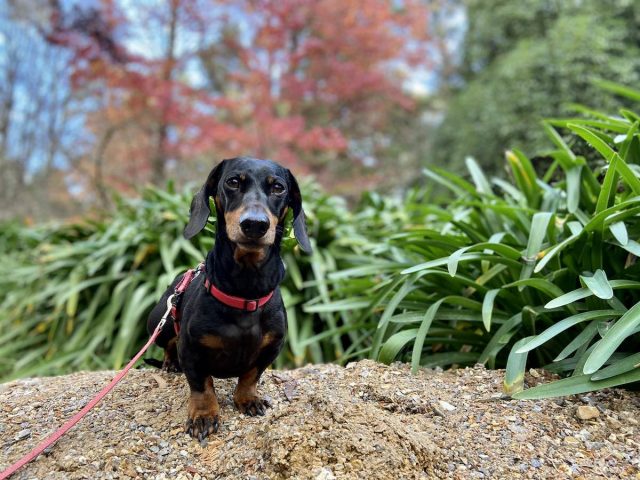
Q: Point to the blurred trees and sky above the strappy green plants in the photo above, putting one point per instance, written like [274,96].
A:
[100,98]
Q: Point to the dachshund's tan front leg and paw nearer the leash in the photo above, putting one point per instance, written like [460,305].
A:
[203,411]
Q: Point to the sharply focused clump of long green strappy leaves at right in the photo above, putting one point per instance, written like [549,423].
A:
[543,264]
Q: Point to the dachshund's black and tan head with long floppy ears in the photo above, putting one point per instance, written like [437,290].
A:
[253,197]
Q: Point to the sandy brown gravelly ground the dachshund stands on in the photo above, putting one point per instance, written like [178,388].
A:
[366,421]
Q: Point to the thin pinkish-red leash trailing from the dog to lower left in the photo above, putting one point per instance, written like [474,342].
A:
[55,436]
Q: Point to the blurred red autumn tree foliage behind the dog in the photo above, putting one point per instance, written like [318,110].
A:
[301,82]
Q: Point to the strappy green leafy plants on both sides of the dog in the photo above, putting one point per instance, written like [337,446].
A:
[538,270]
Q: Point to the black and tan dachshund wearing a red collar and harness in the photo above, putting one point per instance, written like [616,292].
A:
[232,317]
